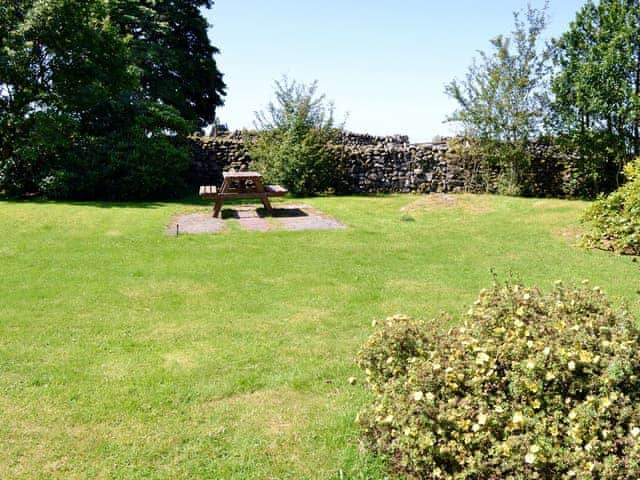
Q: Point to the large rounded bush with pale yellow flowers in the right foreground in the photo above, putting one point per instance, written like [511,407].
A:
[531,385]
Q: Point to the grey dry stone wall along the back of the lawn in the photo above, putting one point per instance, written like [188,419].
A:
[392,164]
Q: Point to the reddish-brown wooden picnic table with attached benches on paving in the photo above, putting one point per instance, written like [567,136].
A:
[241,185]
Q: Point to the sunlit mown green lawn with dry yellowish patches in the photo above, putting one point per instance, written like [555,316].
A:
[126,353]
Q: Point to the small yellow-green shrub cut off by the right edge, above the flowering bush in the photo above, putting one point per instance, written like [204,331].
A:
[616,218]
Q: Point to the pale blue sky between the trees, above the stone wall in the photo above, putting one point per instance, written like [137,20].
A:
[384,64]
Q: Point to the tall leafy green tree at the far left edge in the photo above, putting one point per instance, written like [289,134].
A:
[61,62]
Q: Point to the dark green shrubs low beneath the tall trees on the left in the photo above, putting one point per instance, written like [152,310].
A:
[142,155]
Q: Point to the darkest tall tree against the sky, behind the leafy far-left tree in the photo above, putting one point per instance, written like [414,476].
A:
[172,49]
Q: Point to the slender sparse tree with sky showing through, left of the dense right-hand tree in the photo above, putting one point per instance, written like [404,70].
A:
[502,100]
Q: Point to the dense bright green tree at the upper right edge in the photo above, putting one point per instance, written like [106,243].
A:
[597,86]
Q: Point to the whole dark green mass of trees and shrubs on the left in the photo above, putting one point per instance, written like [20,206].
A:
[82,114]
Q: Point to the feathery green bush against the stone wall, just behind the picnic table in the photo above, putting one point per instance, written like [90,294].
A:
[293,137]
